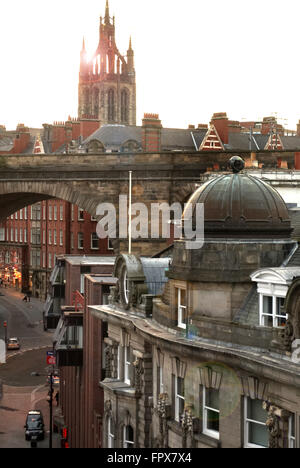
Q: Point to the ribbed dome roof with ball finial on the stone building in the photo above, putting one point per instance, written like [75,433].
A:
[238,205]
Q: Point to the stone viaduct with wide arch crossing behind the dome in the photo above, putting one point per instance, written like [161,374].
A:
[89,179]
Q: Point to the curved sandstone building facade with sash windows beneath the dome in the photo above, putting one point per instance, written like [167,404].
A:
[190,370]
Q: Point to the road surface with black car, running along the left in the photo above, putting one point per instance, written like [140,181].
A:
[24,376]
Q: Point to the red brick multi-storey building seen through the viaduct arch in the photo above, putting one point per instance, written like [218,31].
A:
[40,233]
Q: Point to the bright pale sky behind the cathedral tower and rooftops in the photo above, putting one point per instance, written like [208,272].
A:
[192,58]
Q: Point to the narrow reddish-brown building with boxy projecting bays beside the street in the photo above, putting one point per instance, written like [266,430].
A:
[78,341]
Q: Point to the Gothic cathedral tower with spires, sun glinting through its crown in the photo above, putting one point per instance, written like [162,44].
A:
[107,88]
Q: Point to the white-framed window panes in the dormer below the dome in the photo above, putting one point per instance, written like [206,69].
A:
[270,311]
